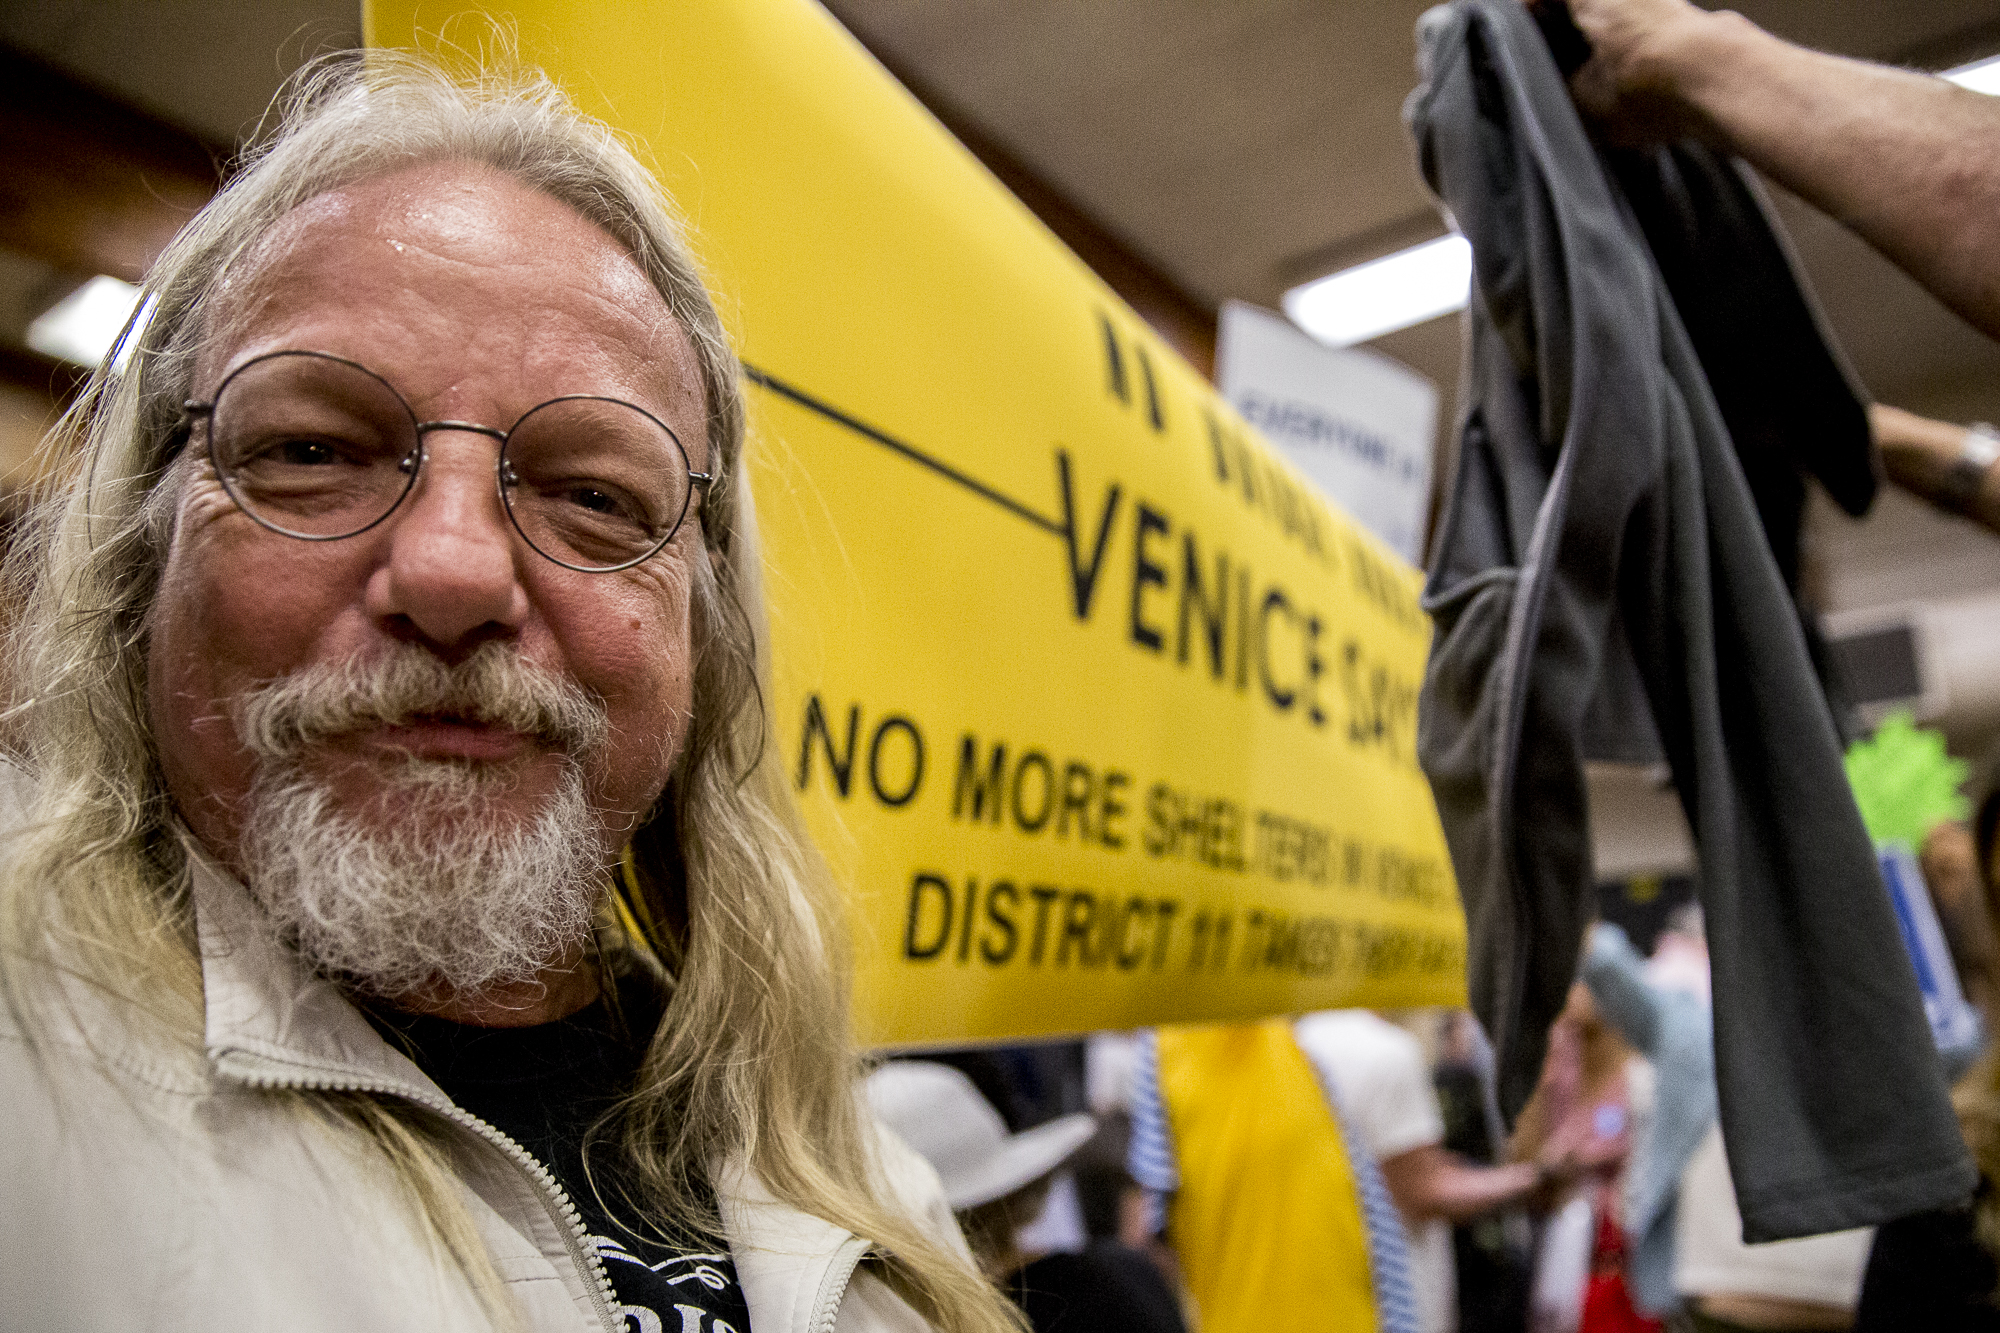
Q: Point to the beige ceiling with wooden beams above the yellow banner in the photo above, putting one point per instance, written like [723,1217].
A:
[1239,147]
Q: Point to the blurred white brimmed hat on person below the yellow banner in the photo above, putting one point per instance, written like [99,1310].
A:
[955,1130]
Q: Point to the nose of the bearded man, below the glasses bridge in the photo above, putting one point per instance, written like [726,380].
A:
[453,569]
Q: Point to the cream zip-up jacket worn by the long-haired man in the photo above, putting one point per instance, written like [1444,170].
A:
[153,1186]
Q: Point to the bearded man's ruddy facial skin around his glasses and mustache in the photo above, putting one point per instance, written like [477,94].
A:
[477,299]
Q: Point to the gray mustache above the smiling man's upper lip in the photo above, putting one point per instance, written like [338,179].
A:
[283,718]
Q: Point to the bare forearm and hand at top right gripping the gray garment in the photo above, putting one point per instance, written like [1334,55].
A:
[1907,161]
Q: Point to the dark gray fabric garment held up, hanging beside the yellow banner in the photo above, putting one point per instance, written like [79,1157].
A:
[1597,487]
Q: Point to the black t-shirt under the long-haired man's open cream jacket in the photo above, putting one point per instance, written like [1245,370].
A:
[545,1088]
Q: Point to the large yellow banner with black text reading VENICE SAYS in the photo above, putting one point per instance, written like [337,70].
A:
[1101,712]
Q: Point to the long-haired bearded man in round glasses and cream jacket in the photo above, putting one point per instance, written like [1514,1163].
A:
[401,922]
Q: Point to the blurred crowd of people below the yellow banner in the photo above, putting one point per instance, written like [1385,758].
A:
[1609,1208]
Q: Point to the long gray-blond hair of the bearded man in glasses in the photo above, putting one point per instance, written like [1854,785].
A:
[753,1060]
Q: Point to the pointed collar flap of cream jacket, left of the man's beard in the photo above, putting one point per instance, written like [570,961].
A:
[271,1022]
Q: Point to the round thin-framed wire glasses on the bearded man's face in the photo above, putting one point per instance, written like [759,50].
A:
[319,447]
